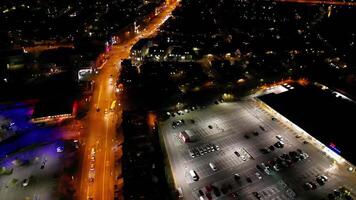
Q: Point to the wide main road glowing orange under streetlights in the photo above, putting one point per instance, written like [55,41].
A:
[100,123]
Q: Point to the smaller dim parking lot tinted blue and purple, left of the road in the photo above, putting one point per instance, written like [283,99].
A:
[32,174]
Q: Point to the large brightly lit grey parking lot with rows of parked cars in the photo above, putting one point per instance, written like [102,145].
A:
[235,138]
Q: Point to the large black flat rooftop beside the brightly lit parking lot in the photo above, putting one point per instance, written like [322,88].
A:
[319,112]
